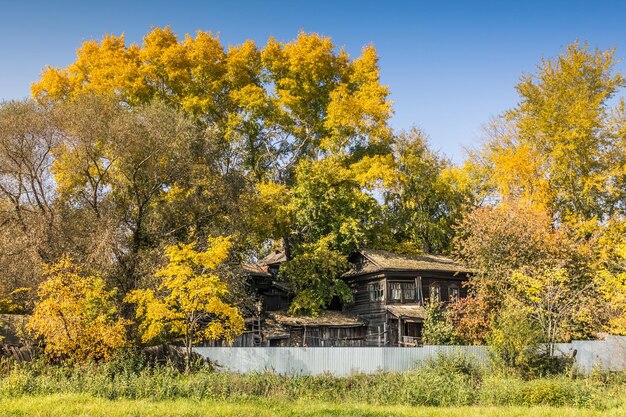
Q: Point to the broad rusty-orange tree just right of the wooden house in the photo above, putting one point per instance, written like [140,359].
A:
[516,253]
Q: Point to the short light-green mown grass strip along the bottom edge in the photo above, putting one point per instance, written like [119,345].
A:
[70,405]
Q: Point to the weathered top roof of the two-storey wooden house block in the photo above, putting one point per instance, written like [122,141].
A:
[380,260]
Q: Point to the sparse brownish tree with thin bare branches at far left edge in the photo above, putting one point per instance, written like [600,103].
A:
[32,229]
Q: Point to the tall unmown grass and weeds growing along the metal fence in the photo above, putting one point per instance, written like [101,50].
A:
[442,381]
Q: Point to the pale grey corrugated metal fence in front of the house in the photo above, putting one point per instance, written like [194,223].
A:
[607,354]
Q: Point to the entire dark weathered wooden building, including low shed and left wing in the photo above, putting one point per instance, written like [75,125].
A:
[389,295]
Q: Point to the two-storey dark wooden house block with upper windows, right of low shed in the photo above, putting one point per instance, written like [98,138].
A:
[390,291]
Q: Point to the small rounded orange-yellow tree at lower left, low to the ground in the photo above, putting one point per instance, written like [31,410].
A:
[76,315]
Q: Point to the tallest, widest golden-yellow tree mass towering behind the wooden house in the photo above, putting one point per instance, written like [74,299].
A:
[266,117]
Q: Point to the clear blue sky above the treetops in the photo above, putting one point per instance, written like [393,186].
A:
[451,66]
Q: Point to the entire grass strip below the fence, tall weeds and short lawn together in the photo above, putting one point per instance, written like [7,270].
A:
[130,387]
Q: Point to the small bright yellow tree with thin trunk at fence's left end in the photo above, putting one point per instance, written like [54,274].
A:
[188,303]
